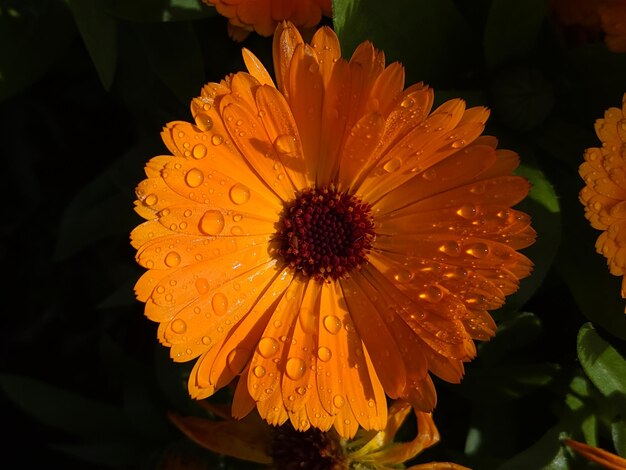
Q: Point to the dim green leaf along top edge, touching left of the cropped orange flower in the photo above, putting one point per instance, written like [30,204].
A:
[158,10]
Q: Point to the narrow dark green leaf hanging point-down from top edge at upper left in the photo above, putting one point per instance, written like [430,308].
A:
[99,32]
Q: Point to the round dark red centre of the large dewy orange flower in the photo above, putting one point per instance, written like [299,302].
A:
[325,234]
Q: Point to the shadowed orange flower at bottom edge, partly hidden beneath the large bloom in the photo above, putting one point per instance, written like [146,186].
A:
[284,448]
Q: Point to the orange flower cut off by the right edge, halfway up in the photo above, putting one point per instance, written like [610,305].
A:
[604,195]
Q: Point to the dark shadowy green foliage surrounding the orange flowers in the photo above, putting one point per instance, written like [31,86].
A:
[85,87]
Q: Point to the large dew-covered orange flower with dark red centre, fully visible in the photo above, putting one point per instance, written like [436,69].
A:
[328,240]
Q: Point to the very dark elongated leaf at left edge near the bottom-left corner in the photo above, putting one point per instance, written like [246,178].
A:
[68,411]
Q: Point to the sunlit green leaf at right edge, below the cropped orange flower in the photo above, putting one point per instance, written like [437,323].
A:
[602,363]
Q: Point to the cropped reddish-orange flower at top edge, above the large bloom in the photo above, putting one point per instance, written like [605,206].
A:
[262,16]
